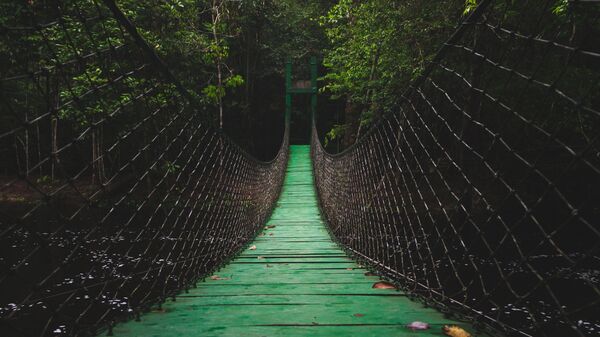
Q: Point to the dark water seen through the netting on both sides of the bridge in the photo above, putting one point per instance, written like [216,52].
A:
[115,270]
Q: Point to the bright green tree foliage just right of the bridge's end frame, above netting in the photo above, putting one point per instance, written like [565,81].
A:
[377,47]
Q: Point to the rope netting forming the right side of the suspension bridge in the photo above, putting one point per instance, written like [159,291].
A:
[480,192]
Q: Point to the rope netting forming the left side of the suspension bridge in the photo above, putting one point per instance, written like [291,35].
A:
[115,192]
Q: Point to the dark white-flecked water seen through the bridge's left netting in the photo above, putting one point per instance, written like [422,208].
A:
[113,271]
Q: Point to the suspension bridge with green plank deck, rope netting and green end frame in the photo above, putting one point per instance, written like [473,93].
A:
[472,205]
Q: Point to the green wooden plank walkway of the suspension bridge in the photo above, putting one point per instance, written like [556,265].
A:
[297,282]
